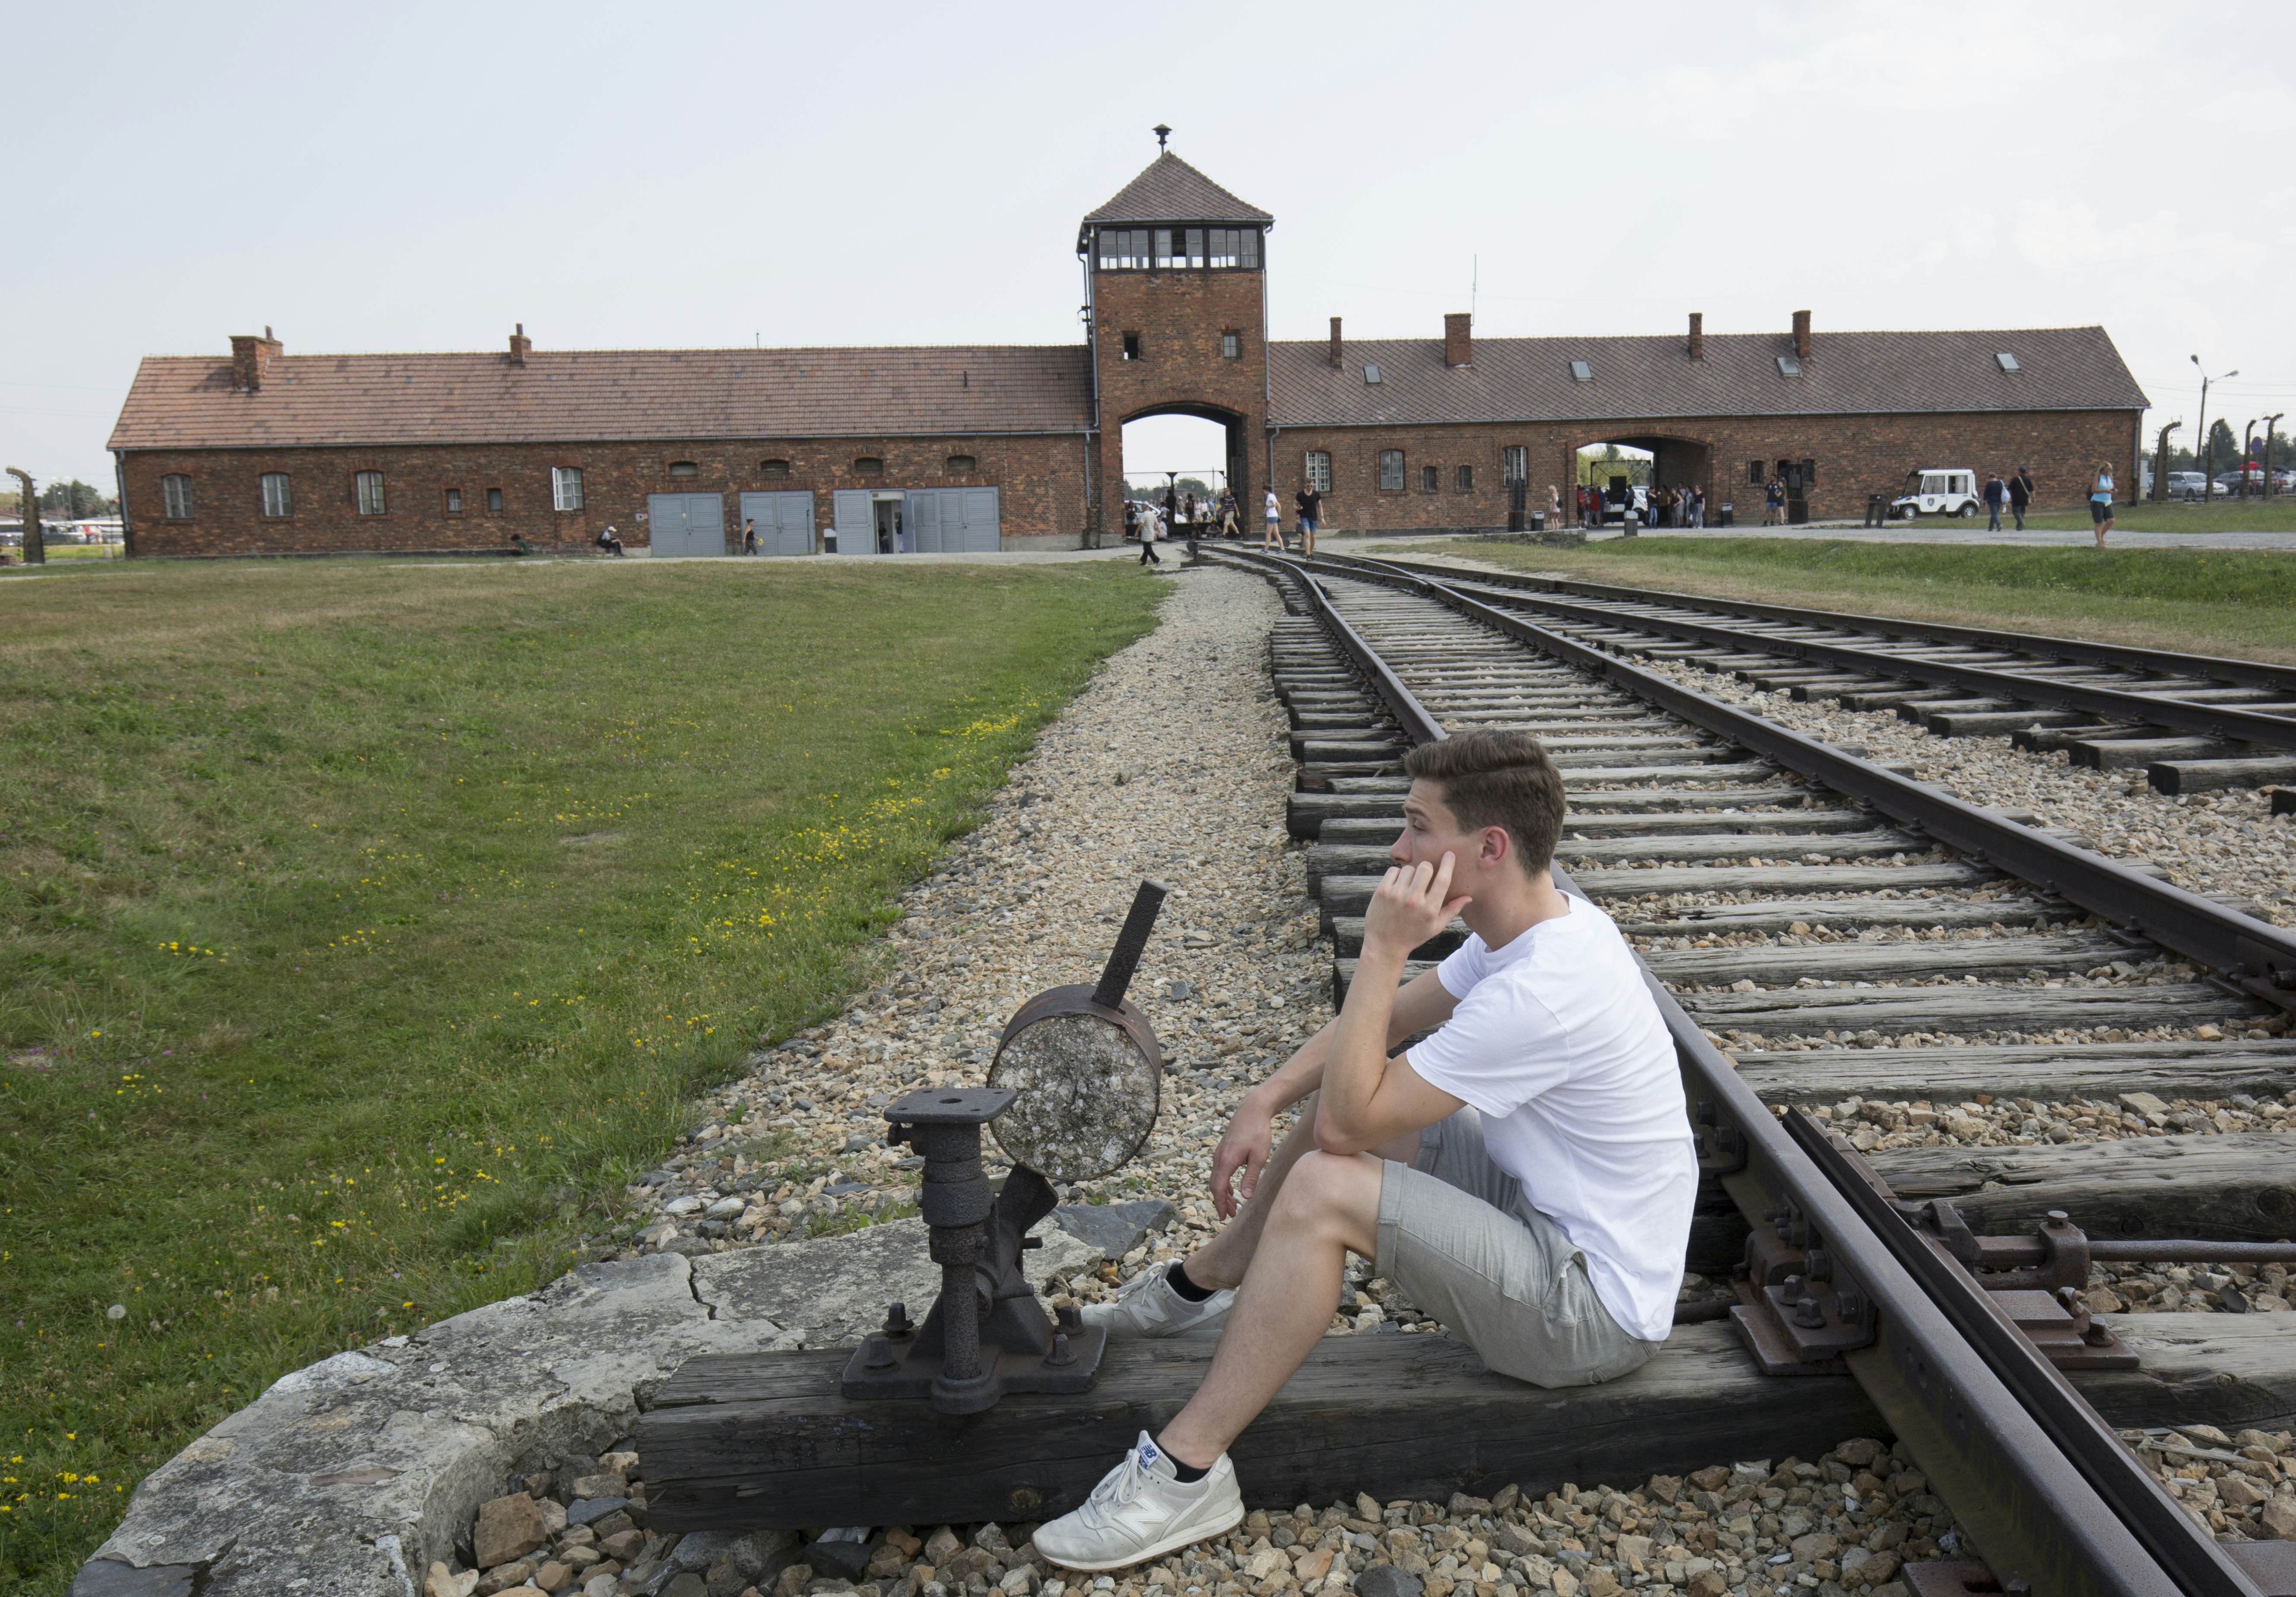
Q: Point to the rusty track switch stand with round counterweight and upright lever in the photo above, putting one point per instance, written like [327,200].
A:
[1073,1095]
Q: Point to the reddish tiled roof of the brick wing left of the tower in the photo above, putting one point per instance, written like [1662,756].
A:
[607,394]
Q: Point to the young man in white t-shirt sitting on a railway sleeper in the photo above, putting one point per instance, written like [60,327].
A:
[1523,1175]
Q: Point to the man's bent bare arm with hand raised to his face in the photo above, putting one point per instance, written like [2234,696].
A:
[1370,1097]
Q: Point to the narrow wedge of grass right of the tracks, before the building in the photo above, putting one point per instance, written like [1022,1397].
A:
[2201,601]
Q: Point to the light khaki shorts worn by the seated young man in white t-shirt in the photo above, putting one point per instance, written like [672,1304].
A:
[1461,1242]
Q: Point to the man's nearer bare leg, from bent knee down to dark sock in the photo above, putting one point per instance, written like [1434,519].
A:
[1326,1210]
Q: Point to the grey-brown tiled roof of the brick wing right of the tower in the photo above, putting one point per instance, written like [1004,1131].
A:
[1847,373]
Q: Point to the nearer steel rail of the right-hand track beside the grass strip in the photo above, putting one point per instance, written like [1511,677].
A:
[2276,732]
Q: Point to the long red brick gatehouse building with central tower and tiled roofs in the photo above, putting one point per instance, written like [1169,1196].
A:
[885,452]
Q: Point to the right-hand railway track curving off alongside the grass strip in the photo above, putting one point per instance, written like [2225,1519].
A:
[2189,723]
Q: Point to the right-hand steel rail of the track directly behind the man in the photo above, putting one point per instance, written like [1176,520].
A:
[2244,952]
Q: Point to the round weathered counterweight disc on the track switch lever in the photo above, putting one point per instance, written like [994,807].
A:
[1089,1083]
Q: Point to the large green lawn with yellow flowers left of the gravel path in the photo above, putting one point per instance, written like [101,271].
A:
[364,927]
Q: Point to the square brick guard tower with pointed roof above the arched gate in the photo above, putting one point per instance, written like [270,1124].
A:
[1177,270]
